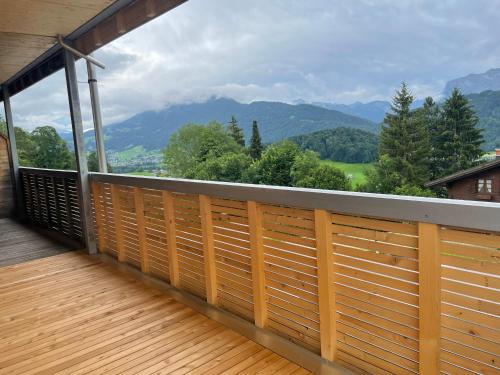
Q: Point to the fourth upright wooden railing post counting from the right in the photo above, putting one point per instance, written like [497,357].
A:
[208,248]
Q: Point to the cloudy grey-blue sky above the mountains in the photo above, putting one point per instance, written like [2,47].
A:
[338,51]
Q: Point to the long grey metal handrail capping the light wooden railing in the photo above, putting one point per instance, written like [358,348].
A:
[458,213]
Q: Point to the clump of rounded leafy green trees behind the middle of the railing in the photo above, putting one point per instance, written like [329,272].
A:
[218,153]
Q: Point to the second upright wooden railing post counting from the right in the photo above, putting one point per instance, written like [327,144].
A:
[326,295]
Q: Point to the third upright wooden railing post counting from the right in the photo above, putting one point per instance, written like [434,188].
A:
[258,275]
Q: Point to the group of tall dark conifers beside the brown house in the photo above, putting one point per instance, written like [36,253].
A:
[424,144]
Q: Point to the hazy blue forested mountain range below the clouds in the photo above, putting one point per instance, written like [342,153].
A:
[148,132]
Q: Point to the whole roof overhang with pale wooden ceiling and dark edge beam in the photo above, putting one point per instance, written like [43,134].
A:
[29,50]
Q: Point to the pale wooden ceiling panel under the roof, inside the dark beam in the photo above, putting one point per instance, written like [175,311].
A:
[28,28]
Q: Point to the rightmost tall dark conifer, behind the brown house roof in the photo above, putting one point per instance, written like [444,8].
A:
[458,139]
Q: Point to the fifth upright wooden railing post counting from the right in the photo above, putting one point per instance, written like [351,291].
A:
[169,216]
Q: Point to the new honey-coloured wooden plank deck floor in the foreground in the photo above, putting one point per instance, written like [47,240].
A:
[72,314]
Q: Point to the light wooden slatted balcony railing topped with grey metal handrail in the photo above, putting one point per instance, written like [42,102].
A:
[377,283]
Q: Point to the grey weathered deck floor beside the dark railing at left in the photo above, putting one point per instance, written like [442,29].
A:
[19,243]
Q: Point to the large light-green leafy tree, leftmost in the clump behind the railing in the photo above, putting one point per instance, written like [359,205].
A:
[193,144]
